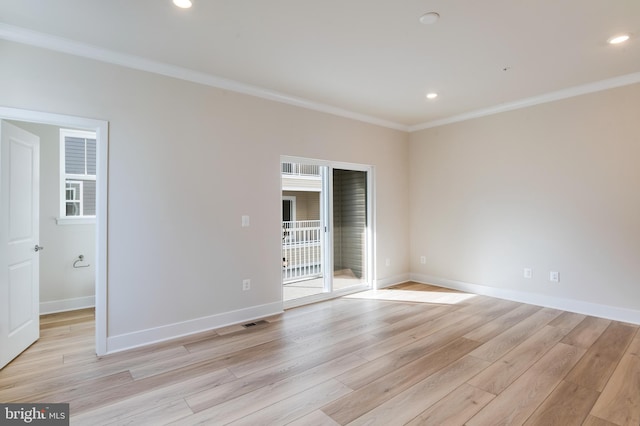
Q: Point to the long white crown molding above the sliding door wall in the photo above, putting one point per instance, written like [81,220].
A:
[85,50]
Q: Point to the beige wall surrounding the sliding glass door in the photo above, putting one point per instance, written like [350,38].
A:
[176,251]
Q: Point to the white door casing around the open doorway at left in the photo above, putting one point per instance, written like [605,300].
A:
[102,139]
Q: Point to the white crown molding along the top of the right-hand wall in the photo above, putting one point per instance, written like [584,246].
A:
[570,92]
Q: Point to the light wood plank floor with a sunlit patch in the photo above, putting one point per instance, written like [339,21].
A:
[428,356]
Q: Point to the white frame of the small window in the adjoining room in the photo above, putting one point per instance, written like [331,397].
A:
[63,219]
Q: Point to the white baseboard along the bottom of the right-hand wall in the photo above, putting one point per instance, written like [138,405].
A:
[571,305]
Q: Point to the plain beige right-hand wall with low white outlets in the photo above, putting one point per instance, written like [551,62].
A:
[552,187]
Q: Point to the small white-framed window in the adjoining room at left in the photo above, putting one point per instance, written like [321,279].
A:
[77,176]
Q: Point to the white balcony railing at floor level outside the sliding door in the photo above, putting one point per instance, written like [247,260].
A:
[301,250]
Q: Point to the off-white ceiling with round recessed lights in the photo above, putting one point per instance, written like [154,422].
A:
[372,59]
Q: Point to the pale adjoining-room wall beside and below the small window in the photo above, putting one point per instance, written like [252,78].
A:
[62,287]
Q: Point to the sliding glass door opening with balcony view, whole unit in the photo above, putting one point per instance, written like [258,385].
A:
[326,229]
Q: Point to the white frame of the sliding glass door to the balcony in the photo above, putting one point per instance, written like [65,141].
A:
[327,210]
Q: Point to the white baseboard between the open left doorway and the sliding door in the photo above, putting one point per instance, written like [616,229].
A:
[171,331]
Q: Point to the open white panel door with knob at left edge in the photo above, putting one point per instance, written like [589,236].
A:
[19,233]
